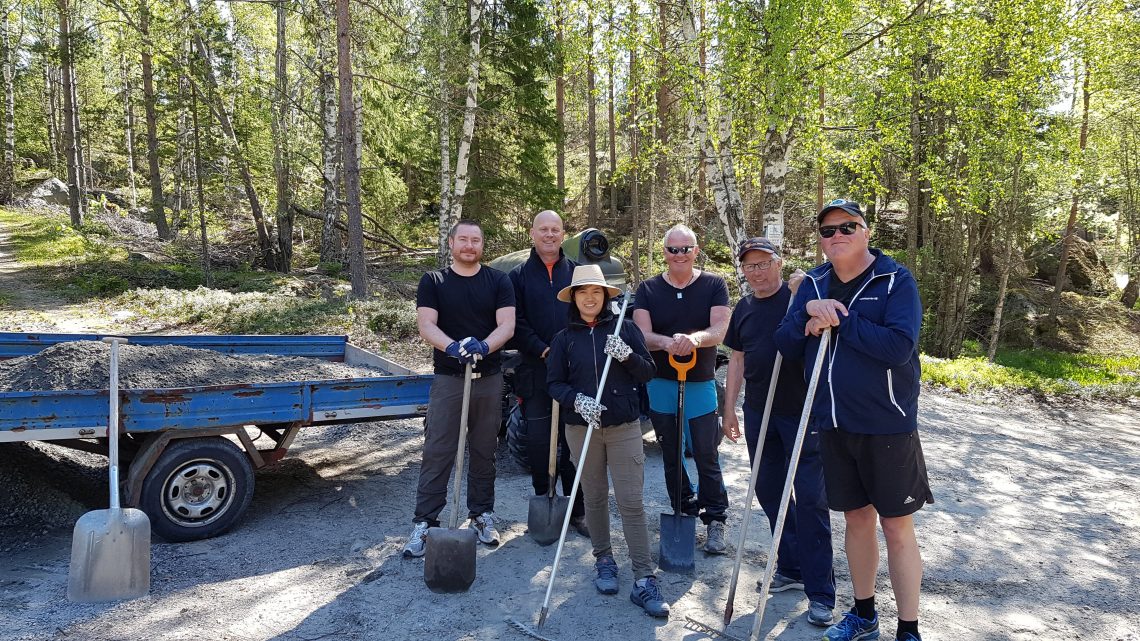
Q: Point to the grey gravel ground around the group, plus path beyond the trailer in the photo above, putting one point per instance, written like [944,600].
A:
[1032,535]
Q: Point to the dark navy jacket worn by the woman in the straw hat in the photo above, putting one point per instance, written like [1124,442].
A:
[576,362]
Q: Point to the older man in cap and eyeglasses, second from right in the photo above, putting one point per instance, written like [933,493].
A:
[805,557]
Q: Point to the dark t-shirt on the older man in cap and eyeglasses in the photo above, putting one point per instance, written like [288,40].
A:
[754,323]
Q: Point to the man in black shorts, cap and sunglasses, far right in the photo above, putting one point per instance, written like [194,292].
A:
[867,410]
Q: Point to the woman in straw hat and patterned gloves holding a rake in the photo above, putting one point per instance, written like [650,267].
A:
[575,367]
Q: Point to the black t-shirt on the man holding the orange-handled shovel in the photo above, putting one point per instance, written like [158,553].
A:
[686,311]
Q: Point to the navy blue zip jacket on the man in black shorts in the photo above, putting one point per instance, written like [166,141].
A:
[870,378]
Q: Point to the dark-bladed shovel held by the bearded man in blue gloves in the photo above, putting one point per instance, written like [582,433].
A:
[450,564]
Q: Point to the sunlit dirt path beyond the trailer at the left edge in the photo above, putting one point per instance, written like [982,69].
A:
[27,307]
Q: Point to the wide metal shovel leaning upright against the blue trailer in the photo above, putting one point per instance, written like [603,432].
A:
[111,549]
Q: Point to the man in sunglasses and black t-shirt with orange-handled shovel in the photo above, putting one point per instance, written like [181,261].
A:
[686,312]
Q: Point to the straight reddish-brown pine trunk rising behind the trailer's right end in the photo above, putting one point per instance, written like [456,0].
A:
[352,161]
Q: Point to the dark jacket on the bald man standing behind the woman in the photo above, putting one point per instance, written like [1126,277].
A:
[539,313]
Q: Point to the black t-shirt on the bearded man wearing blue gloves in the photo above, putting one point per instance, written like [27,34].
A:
[467,307]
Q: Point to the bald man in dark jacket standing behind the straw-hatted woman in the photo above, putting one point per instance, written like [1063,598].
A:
[539,317]
